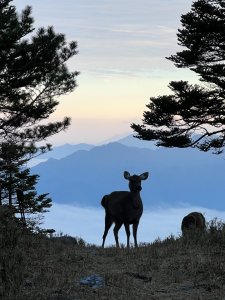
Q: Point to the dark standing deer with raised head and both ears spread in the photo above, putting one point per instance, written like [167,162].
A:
[124,208]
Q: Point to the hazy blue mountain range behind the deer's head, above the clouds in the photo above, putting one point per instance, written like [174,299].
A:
[177,176]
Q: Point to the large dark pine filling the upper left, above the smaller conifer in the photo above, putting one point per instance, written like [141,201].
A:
[33,73]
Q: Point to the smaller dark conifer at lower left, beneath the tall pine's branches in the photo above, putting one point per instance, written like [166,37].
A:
[15,176]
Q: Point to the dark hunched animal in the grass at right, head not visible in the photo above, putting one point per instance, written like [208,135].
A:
[193,221]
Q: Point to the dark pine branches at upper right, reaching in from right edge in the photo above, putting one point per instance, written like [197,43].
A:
[193,115]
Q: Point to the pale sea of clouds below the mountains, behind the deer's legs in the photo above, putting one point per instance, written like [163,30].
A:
[88,223]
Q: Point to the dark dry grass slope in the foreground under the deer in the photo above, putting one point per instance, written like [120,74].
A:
[36,267]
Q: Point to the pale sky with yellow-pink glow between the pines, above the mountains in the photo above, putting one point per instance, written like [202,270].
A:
[122,47]
